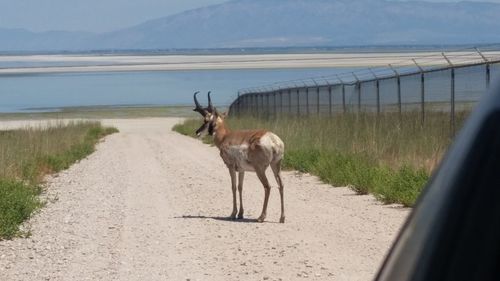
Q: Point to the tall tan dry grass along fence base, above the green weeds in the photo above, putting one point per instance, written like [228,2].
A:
[387,139]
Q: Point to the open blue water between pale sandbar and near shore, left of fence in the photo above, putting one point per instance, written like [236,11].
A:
[21,92]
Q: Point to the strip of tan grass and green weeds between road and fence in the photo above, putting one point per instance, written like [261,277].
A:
[388,156]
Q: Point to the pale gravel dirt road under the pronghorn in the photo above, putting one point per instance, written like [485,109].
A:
[150,204]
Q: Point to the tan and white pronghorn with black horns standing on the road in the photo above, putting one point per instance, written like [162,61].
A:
[249,150]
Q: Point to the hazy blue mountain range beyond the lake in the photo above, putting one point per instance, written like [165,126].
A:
[277,23]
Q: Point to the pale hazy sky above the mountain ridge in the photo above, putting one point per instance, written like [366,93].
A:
[95,15]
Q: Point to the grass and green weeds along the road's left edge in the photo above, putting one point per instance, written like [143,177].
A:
[27,155]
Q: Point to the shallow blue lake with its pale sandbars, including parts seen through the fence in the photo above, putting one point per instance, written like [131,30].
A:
[38,82]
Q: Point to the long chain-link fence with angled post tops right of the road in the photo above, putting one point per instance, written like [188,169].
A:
[442,82]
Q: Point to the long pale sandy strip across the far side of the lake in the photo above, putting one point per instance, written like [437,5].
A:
[84,63]
